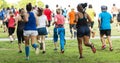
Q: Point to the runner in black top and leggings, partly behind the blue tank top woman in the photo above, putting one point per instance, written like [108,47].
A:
[20,27]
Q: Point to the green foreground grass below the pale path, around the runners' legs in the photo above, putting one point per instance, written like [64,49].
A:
[9,53]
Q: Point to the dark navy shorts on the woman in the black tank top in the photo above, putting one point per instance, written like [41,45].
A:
[83,31]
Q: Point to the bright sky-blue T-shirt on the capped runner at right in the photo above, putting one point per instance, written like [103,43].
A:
[105,20]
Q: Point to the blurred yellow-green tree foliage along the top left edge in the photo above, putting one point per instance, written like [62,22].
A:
[21,3]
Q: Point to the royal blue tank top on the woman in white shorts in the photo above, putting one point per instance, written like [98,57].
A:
[31,24]
